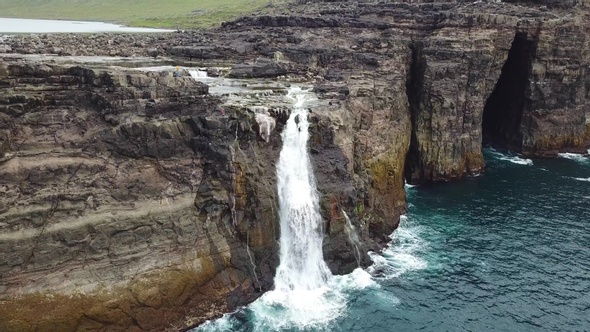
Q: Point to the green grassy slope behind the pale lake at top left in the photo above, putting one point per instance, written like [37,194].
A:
[145,13]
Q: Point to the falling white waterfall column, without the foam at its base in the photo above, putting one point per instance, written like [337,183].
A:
[302,265]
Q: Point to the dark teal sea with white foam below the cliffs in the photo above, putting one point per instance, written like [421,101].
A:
[505,251]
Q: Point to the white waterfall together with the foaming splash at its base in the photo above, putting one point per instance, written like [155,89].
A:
[306,295]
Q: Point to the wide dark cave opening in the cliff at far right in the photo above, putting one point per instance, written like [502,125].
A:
[504,108]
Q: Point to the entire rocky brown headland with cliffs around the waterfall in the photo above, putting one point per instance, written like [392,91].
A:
[135,200]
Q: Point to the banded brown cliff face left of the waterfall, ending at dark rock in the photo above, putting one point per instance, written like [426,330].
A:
[99,225]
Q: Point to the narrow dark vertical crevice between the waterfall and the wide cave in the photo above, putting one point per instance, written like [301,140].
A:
[414,172]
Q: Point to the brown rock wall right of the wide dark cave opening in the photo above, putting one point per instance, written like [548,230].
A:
[557,118]
